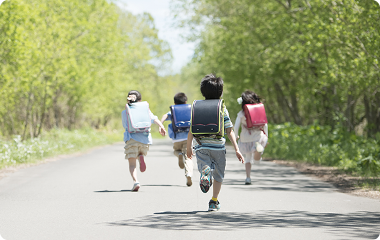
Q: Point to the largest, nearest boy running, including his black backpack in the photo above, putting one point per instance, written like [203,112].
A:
[209,120]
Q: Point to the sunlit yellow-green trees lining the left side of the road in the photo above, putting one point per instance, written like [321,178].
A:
[69,64]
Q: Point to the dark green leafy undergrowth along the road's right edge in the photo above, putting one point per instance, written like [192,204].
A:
[324,146]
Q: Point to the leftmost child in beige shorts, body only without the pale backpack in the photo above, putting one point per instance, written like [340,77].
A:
[137,144]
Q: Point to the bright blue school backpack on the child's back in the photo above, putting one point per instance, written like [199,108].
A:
[181,115]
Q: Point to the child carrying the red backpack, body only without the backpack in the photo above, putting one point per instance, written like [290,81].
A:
[251,141]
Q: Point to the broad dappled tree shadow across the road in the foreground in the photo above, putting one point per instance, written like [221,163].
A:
[364,224]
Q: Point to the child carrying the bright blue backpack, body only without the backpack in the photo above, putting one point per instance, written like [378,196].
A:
[180,140]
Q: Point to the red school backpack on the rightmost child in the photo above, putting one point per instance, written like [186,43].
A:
[255,115]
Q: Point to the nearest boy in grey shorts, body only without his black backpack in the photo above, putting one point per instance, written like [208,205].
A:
[211,152]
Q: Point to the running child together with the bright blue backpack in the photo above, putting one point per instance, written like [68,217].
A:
[178,130]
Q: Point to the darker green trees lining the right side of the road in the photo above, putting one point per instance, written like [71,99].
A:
[312,60]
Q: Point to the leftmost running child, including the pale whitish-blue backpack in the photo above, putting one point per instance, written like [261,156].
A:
[137,119]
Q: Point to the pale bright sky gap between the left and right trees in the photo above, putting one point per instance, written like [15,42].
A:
[160,11]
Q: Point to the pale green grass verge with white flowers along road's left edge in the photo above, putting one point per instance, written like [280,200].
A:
[53,143]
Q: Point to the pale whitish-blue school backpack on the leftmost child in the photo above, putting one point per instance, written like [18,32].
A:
[138,117]
